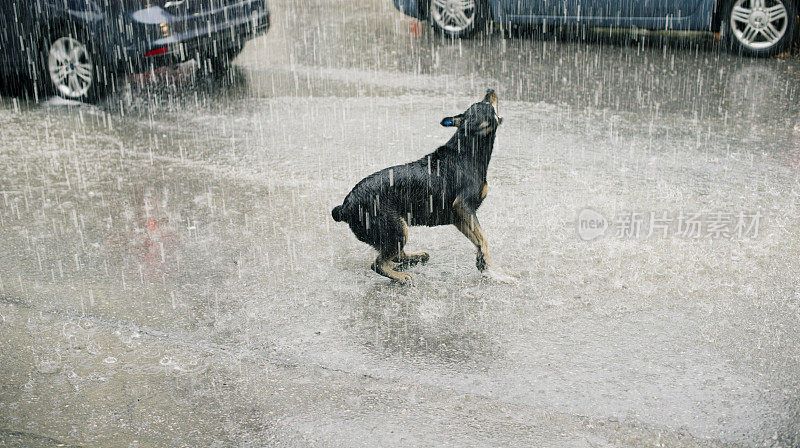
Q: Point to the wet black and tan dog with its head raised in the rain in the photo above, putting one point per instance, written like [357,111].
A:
[445,187]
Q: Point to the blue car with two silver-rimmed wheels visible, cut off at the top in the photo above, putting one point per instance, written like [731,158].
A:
[751,27]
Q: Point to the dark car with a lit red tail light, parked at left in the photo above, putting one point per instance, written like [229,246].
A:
[77,48]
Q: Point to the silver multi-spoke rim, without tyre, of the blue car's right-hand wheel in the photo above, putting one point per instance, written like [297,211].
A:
[759,24]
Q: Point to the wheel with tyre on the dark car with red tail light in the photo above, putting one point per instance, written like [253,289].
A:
[71,68]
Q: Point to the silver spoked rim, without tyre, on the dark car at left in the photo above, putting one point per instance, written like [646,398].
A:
[70,67]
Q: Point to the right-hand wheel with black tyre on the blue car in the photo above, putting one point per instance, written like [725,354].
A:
[760,27]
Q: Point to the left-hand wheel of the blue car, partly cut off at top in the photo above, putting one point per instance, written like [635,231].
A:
[457,18]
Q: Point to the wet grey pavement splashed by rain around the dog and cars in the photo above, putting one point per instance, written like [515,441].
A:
[172,275]
